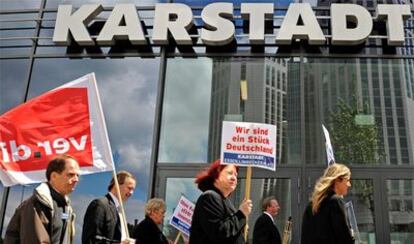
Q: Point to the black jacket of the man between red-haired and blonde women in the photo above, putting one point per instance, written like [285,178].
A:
[265,231]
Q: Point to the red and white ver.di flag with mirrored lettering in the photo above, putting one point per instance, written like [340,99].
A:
[66,120]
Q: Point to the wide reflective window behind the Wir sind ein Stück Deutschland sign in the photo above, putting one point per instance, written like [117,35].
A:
[316,91]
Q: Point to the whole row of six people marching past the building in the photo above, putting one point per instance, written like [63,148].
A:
[47,216]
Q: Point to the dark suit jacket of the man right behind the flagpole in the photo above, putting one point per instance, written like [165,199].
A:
[101,219]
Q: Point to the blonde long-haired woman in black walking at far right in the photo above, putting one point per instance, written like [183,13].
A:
[324,220]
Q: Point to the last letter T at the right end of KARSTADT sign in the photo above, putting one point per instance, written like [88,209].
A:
[395,15]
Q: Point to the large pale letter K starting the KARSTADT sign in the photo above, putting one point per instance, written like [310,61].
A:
[75,23]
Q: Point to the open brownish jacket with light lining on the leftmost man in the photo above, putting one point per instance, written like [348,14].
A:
[33,222]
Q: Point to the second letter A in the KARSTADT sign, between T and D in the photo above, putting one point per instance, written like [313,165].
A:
[310,29]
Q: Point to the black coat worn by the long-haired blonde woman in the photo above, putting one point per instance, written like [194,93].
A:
[329,225]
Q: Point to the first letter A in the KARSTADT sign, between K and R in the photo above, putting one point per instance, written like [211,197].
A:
[131,30]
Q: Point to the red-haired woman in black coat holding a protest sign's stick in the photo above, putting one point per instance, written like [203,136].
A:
[215,219]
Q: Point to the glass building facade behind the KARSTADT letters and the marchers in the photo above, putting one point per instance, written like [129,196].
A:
[164,107]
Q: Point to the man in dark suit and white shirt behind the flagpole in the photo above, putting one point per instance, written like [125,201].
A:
[102,222]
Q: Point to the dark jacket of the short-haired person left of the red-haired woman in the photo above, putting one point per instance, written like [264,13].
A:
[147,232]
